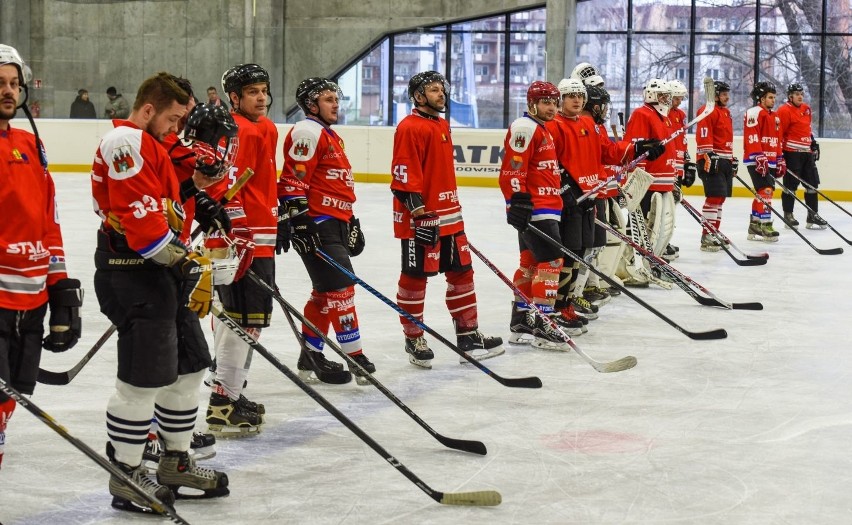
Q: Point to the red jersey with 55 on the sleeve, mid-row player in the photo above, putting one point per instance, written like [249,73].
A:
[423,162]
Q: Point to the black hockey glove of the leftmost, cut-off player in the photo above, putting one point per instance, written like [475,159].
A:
[65,299]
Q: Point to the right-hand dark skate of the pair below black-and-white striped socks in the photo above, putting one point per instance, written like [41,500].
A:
[178,472]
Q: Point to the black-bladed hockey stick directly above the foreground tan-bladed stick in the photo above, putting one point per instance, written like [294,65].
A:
[475,447]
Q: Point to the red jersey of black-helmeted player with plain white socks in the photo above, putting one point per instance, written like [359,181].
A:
[256,205]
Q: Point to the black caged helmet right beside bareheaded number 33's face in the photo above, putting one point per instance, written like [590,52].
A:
[213,133]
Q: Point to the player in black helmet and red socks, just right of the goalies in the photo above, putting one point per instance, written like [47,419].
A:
[714,139]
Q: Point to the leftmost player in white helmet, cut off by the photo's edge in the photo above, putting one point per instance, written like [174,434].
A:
[33,278]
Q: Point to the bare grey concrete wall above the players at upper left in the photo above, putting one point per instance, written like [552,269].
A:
[94,44]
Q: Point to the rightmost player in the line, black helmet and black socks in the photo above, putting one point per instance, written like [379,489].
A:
[801,151]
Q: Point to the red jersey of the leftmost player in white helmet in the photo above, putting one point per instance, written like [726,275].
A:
[32,256]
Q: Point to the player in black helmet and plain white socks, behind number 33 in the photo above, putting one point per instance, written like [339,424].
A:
[253,212]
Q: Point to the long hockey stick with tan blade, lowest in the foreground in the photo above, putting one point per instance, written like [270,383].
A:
[477,498]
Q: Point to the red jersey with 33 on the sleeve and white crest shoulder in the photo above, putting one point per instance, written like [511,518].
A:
[132,174]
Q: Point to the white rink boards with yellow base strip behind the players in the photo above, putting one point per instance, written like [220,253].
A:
[71,145]
